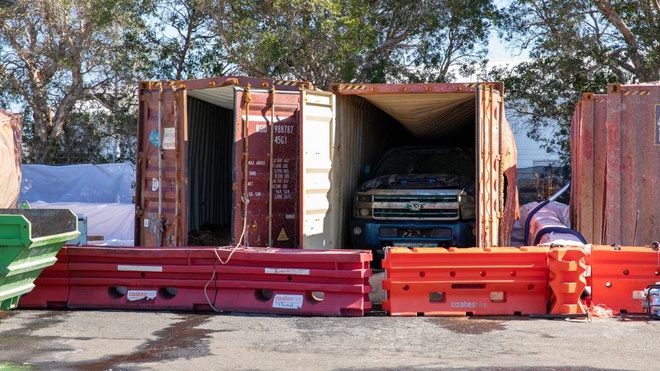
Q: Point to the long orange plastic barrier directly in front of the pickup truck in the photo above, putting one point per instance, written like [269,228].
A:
[466,281]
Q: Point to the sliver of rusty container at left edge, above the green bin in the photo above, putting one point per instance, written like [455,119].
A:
[10,158]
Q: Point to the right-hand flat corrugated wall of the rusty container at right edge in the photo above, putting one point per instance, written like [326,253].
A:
[632,215]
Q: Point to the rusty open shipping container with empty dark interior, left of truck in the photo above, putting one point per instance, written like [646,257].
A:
[230,160]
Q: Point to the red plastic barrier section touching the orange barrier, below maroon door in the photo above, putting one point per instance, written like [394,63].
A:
[301,282]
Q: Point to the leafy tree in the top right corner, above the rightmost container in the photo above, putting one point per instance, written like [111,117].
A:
[575,47]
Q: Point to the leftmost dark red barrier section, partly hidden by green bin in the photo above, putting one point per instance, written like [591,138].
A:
[51,286]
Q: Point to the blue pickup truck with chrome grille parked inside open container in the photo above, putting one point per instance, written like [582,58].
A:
[416,196]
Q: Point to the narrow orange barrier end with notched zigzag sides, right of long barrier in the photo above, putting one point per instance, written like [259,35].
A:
[567,281]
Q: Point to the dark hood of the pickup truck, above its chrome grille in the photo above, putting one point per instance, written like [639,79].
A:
[420,181]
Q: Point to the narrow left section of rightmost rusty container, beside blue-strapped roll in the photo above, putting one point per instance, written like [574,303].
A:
[588,160]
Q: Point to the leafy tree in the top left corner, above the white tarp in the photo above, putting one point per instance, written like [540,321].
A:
[55,54]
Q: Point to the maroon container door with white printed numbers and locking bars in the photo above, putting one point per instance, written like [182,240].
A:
[266,188]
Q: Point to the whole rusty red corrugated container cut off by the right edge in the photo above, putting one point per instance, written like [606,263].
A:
[615,161]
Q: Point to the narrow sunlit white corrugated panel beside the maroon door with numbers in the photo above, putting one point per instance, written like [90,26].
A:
[319,218]
